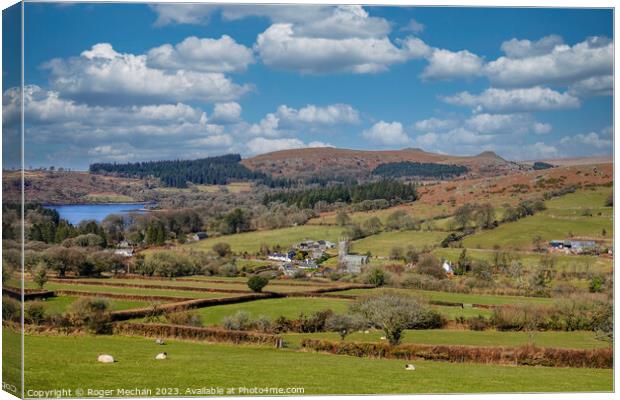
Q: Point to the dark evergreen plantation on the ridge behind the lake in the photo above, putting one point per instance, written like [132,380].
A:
[177,173]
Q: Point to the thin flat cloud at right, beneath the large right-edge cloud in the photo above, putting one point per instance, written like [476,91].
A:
[514,100]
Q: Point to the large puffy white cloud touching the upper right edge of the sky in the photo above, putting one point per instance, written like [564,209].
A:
[552,62]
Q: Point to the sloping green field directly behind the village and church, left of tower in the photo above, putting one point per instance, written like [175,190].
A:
[251,241]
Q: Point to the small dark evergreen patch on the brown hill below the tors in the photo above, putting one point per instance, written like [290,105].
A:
[417,169]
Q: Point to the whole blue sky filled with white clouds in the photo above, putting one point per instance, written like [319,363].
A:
[129,82]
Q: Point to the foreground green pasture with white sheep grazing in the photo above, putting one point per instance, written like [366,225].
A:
[54,362]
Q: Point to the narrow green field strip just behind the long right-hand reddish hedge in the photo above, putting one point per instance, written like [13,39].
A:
[575,340]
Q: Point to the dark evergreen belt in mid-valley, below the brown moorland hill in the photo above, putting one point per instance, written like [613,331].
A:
[390,190]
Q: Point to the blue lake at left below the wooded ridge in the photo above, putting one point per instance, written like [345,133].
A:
[76,213]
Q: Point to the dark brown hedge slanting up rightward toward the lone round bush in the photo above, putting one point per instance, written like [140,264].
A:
[122,315]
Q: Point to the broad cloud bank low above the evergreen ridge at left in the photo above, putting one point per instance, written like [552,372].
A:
[111,133]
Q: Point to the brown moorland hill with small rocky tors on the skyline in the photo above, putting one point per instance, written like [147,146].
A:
[328,162]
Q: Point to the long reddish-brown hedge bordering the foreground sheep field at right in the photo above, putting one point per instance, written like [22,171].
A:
[522,355]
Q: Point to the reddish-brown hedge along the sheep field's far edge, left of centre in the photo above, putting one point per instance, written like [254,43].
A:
[195,333]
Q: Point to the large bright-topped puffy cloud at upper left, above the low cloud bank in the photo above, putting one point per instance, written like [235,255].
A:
[103,76]
